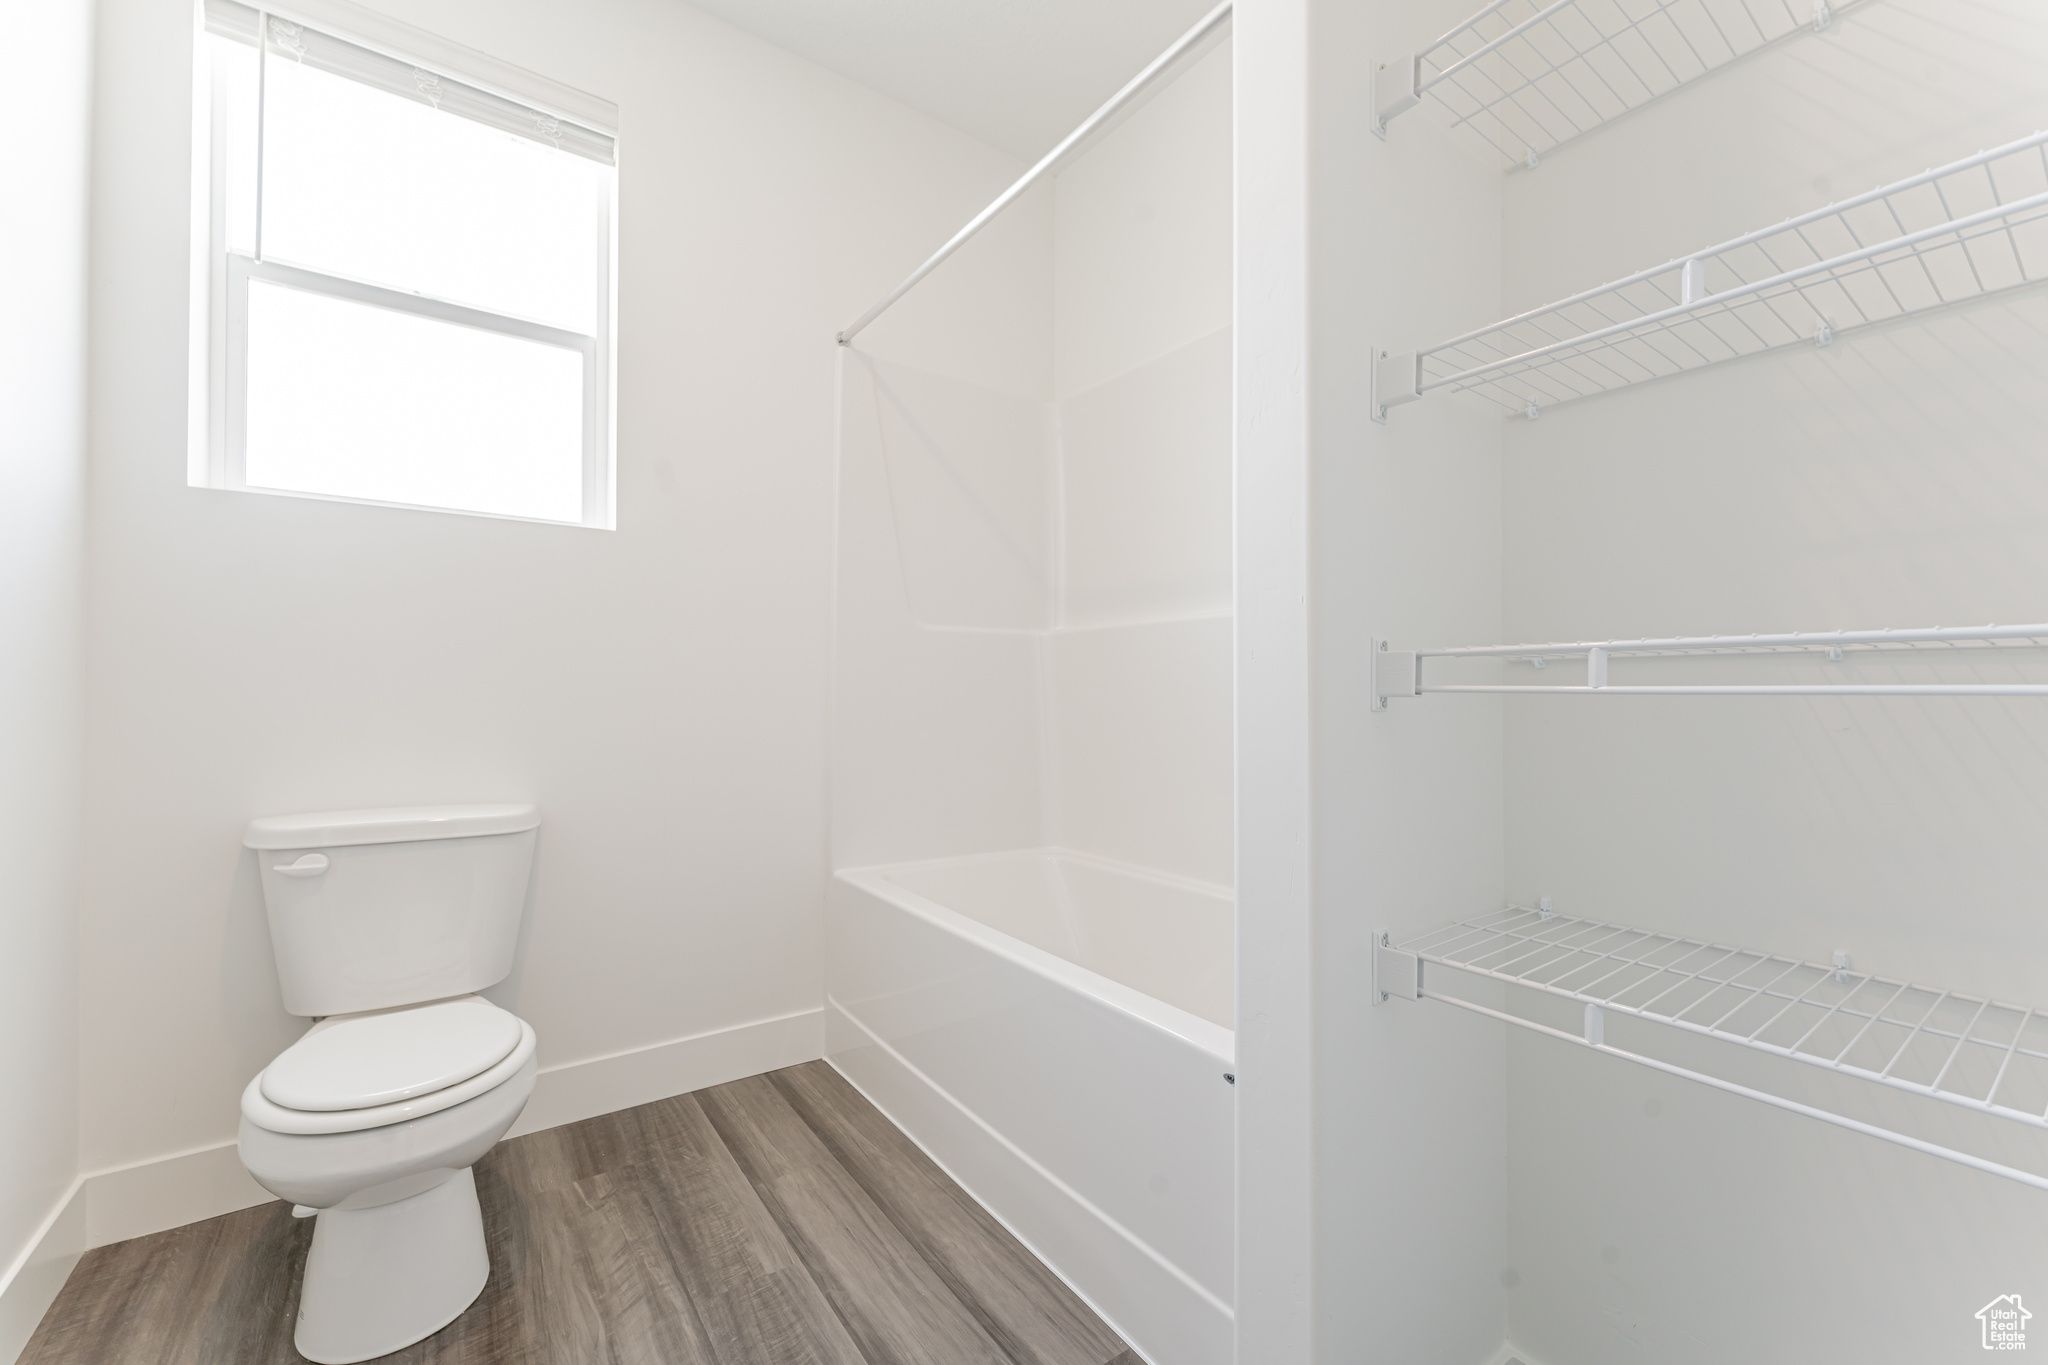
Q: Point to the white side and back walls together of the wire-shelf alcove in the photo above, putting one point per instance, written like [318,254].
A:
[1476,1194]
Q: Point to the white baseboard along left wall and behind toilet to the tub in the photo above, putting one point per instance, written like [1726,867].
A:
[169,1192]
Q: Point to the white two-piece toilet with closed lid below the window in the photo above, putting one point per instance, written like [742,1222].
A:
[386,924]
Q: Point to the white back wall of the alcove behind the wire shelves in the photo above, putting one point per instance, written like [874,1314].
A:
[1891,480]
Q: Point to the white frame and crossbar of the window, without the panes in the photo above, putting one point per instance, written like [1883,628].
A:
[222,277]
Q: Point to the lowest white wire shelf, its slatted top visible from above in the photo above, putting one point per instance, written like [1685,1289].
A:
[1951,1047]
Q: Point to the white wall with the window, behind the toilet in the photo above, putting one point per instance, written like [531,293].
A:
[658,691]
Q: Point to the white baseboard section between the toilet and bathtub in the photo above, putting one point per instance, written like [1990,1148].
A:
[585,1090]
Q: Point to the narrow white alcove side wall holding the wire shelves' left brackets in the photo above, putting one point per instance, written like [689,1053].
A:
[1410,1129]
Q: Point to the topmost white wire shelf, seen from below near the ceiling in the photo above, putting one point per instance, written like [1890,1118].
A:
[1529,75]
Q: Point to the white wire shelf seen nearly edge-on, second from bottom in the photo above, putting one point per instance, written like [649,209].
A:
[1398,674]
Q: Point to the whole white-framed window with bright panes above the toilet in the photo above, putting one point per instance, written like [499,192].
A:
[407,281]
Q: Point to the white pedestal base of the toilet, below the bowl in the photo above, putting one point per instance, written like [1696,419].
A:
[384,1278]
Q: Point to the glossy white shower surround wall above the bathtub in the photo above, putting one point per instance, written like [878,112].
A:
[1035,568]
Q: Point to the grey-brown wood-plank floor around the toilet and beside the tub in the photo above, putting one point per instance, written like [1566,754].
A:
[771,1221]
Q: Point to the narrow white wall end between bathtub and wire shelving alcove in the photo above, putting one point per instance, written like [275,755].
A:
[1271,658]
